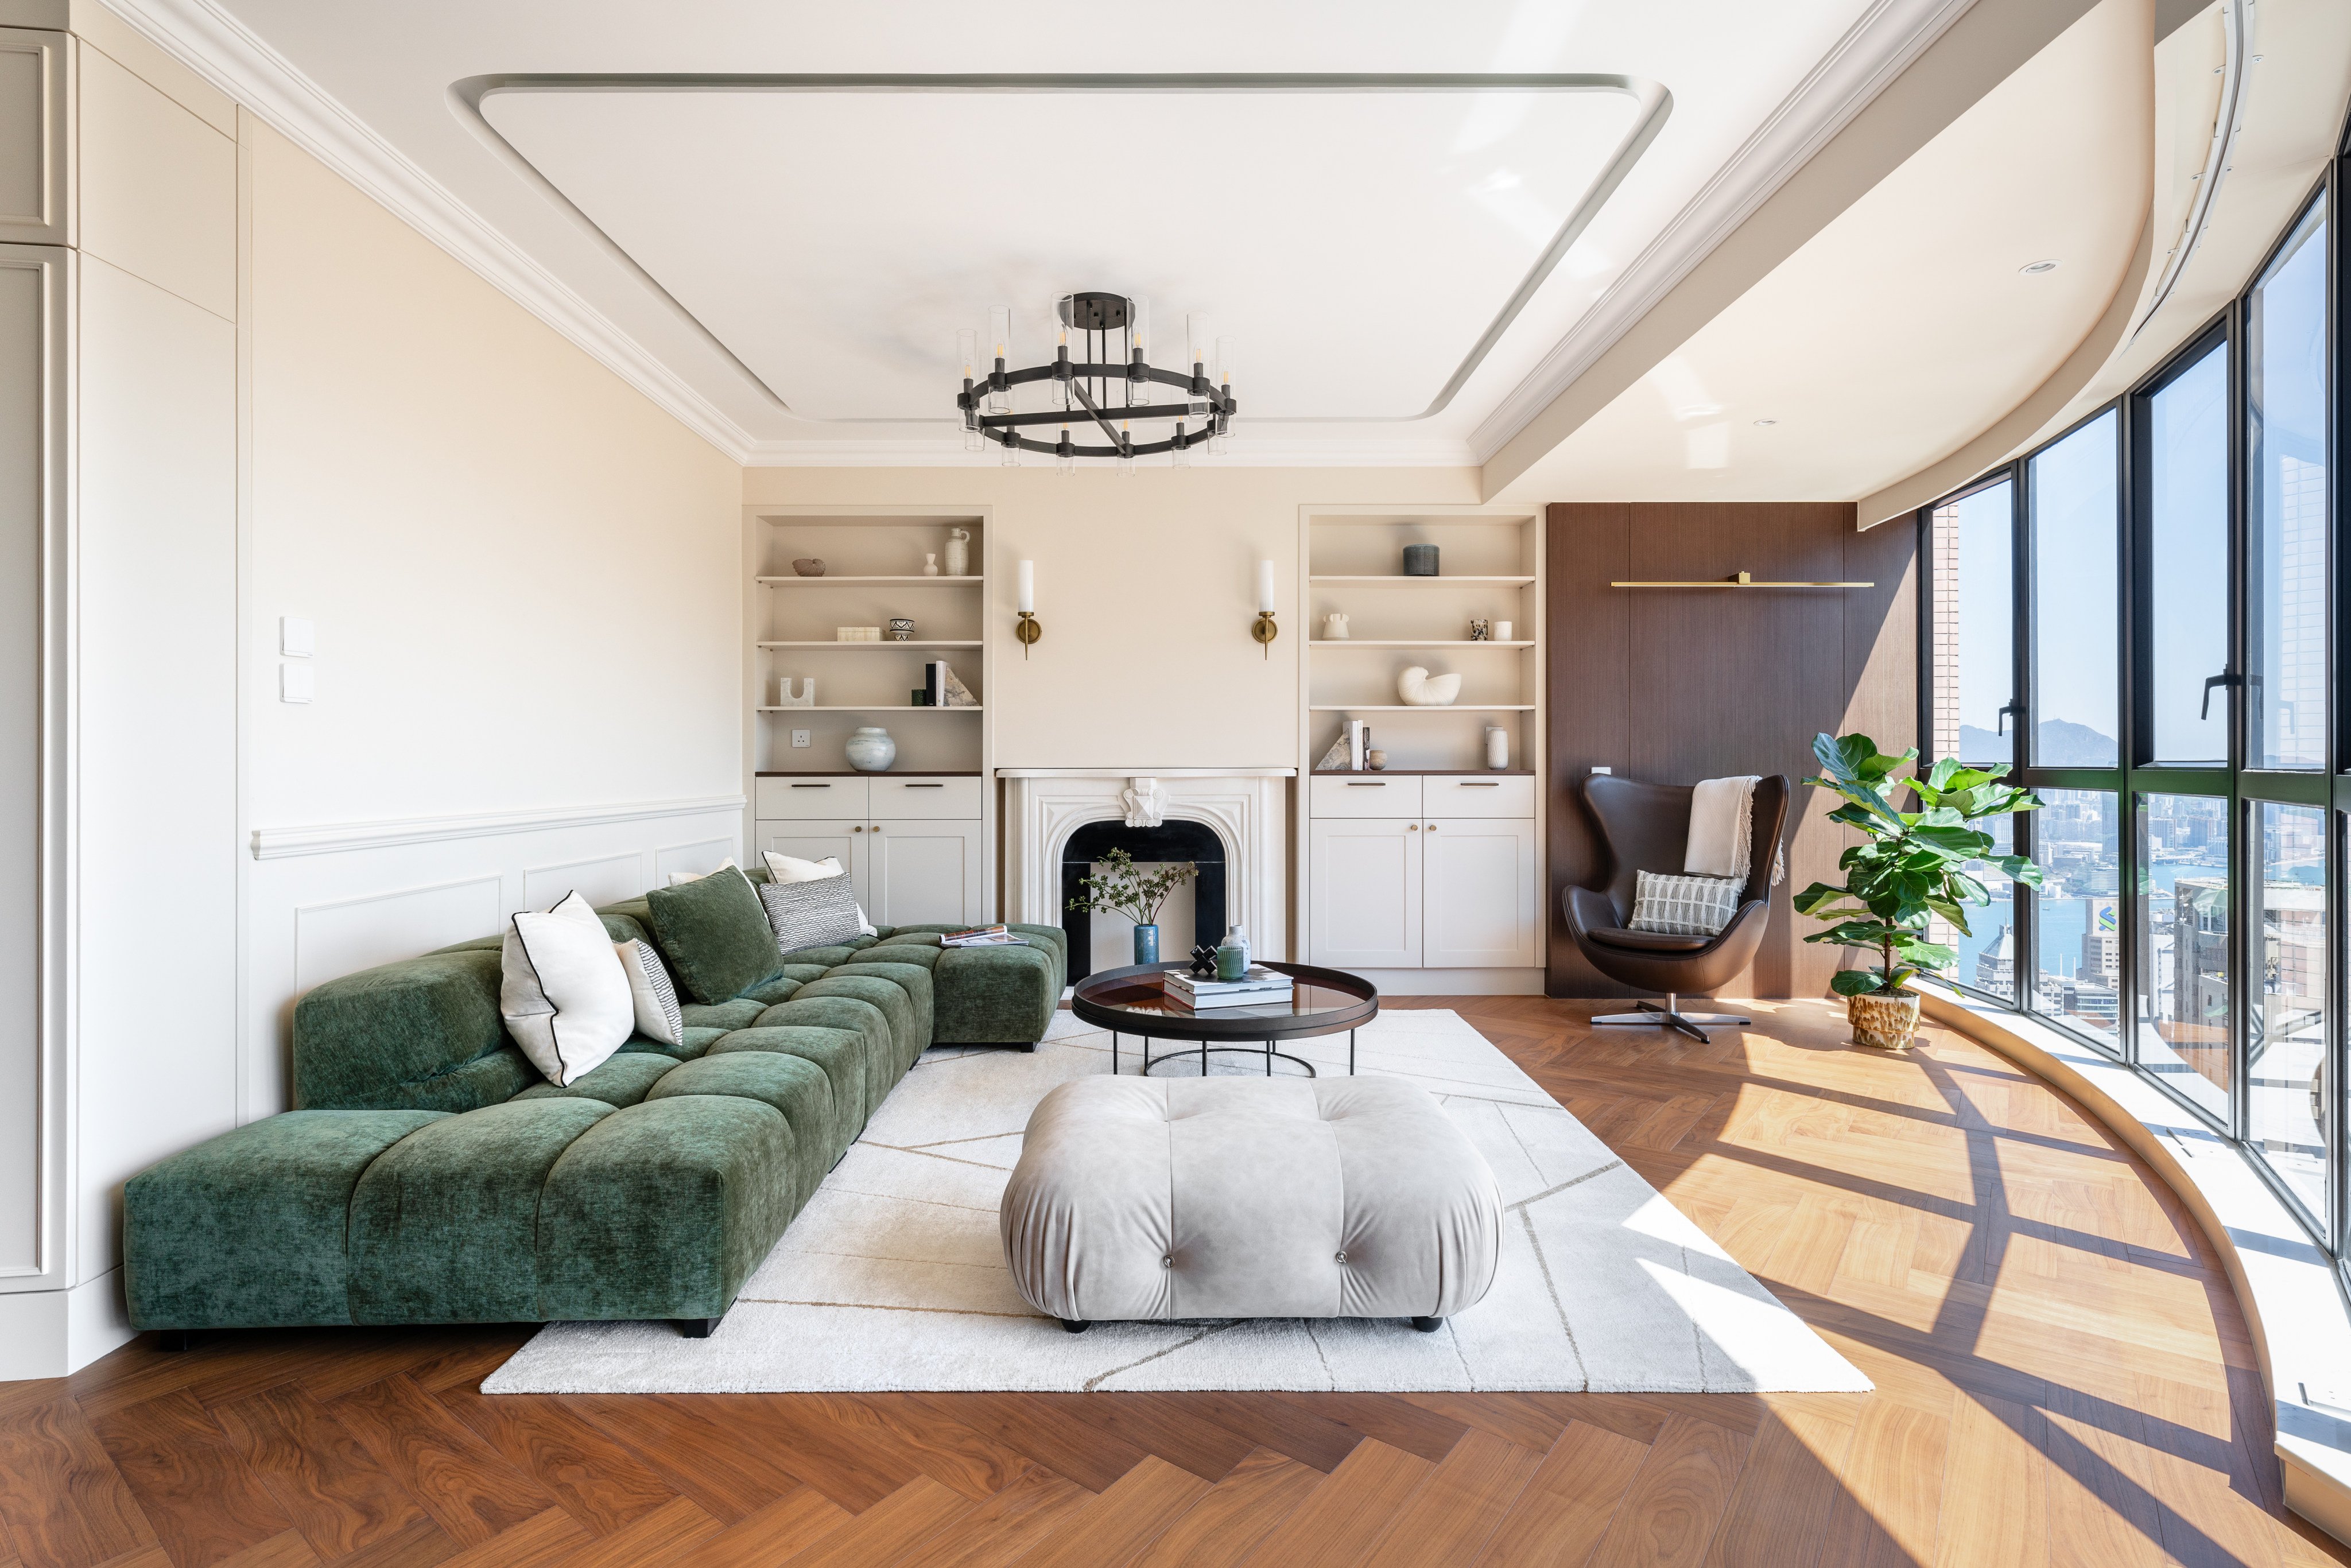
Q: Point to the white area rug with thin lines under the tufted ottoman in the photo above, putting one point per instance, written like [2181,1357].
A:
[895,1275]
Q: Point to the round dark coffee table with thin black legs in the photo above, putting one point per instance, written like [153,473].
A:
[1132,1003]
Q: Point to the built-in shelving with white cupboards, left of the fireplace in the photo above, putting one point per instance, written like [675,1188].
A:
[916,852]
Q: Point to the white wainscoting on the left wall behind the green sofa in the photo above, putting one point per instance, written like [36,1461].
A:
[389,892]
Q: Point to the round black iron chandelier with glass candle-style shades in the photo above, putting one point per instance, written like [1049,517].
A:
[1101,391]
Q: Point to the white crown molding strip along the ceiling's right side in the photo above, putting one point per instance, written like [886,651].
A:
[1868,60]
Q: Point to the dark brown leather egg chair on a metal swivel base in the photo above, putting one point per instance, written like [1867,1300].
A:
[1647,829]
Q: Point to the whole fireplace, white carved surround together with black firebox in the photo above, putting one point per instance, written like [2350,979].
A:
[1228,822]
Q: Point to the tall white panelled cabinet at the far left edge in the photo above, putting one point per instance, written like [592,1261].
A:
[119,650]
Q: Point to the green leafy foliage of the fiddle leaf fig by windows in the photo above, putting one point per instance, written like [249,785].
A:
[1913,866]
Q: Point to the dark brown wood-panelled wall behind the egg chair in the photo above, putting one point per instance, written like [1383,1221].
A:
[1675,685]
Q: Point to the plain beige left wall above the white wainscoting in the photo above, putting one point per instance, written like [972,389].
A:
[525,577]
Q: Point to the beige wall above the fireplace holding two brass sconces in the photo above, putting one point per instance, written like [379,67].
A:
[1146,589]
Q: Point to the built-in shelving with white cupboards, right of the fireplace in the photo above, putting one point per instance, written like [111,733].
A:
[1426,876]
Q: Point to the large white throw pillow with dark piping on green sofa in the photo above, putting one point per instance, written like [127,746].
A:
[565,993]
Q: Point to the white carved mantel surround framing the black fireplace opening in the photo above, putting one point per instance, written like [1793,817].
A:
[1245,808]
